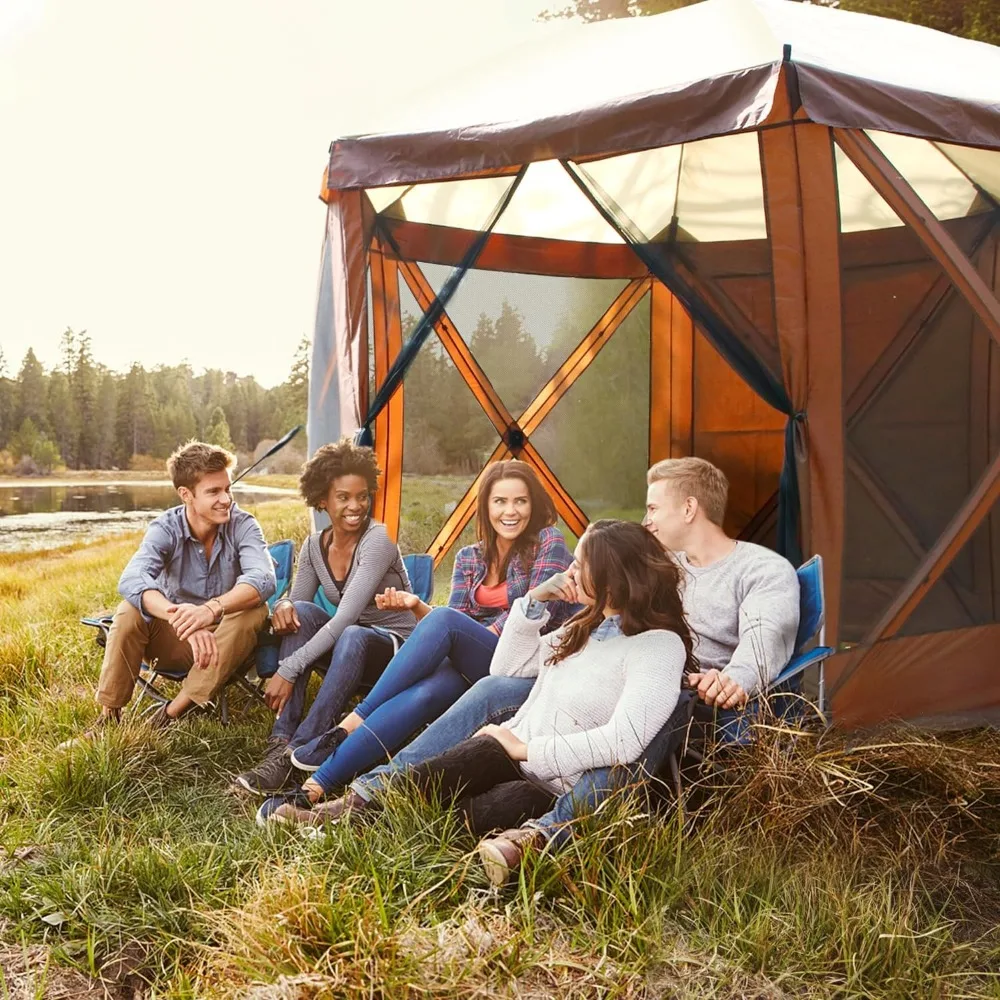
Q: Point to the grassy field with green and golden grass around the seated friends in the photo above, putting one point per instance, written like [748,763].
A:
[833,867]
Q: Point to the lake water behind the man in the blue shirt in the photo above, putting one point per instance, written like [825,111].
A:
[49,514]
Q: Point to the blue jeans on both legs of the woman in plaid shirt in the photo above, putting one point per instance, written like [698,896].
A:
[445,653]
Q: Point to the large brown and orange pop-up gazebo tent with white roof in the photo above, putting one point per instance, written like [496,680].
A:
[758,231]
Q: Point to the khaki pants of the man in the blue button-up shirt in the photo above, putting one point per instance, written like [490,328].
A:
[132,639]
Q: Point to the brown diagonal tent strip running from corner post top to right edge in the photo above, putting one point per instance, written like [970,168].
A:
[906,203]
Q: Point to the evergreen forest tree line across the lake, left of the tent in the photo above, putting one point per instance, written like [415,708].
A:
[83,415]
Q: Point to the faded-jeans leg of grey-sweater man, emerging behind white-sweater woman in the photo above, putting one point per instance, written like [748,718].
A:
[492,700]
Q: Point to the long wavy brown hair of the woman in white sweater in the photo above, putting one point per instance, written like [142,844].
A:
[626,568]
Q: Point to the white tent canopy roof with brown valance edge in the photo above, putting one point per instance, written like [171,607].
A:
[584,91]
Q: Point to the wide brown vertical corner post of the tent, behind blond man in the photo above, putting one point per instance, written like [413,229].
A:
[800,192]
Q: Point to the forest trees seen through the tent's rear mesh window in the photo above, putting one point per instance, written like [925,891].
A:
[594,440]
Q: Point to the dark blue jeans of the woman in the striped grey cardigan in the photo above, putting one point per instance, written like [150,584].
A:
[361,653]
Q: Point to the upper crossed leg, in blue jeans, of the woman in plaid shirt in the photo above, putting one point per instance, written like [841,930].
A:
[443,633]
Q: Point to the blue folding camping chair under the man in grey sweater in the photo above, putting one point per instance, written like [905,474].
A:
[784,692]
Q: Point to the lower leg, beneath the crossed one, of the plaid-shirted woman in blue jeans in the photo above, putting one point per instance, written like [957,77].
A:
[389,727]
